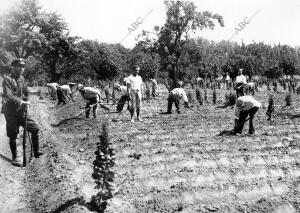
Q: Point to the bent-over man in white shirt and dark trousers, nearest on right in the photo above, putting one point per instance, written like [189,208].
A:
[245,105]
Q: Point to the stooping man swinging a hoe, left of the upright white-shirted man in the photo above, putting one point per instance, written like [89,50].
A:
[92,96]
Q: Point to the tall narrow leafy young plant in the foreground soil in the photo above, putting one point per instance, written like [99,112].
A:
[103,171]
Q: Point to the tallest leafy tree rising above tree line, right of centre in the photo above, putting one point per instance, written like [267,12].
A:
[182,19]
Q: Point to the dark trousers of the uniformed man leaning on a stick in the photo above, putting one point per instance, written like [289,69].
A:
[13,123]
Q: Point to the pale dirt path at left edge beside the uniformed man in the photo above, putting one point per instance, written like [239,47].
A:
[12,189]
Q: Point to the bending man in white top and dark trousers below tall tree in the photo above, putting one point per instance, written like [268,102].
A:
[175,96]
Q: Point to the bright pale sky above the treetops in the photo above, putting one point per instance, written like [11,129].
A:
[110,21]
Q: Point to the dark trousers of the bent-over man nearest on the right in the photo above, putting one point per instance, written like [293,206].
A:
[243,116]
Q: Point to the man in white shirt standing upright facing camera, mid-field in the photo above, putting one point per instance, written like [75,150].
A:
[135,91]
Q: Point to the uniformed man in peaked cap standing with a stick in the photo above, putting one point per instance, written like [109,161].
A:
[15,103]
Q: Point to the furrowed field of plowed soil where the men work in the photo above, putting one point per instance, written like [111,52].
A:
[169,163]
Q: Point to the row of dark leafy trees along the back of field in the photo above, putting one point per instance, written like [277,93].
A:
[43,39]
